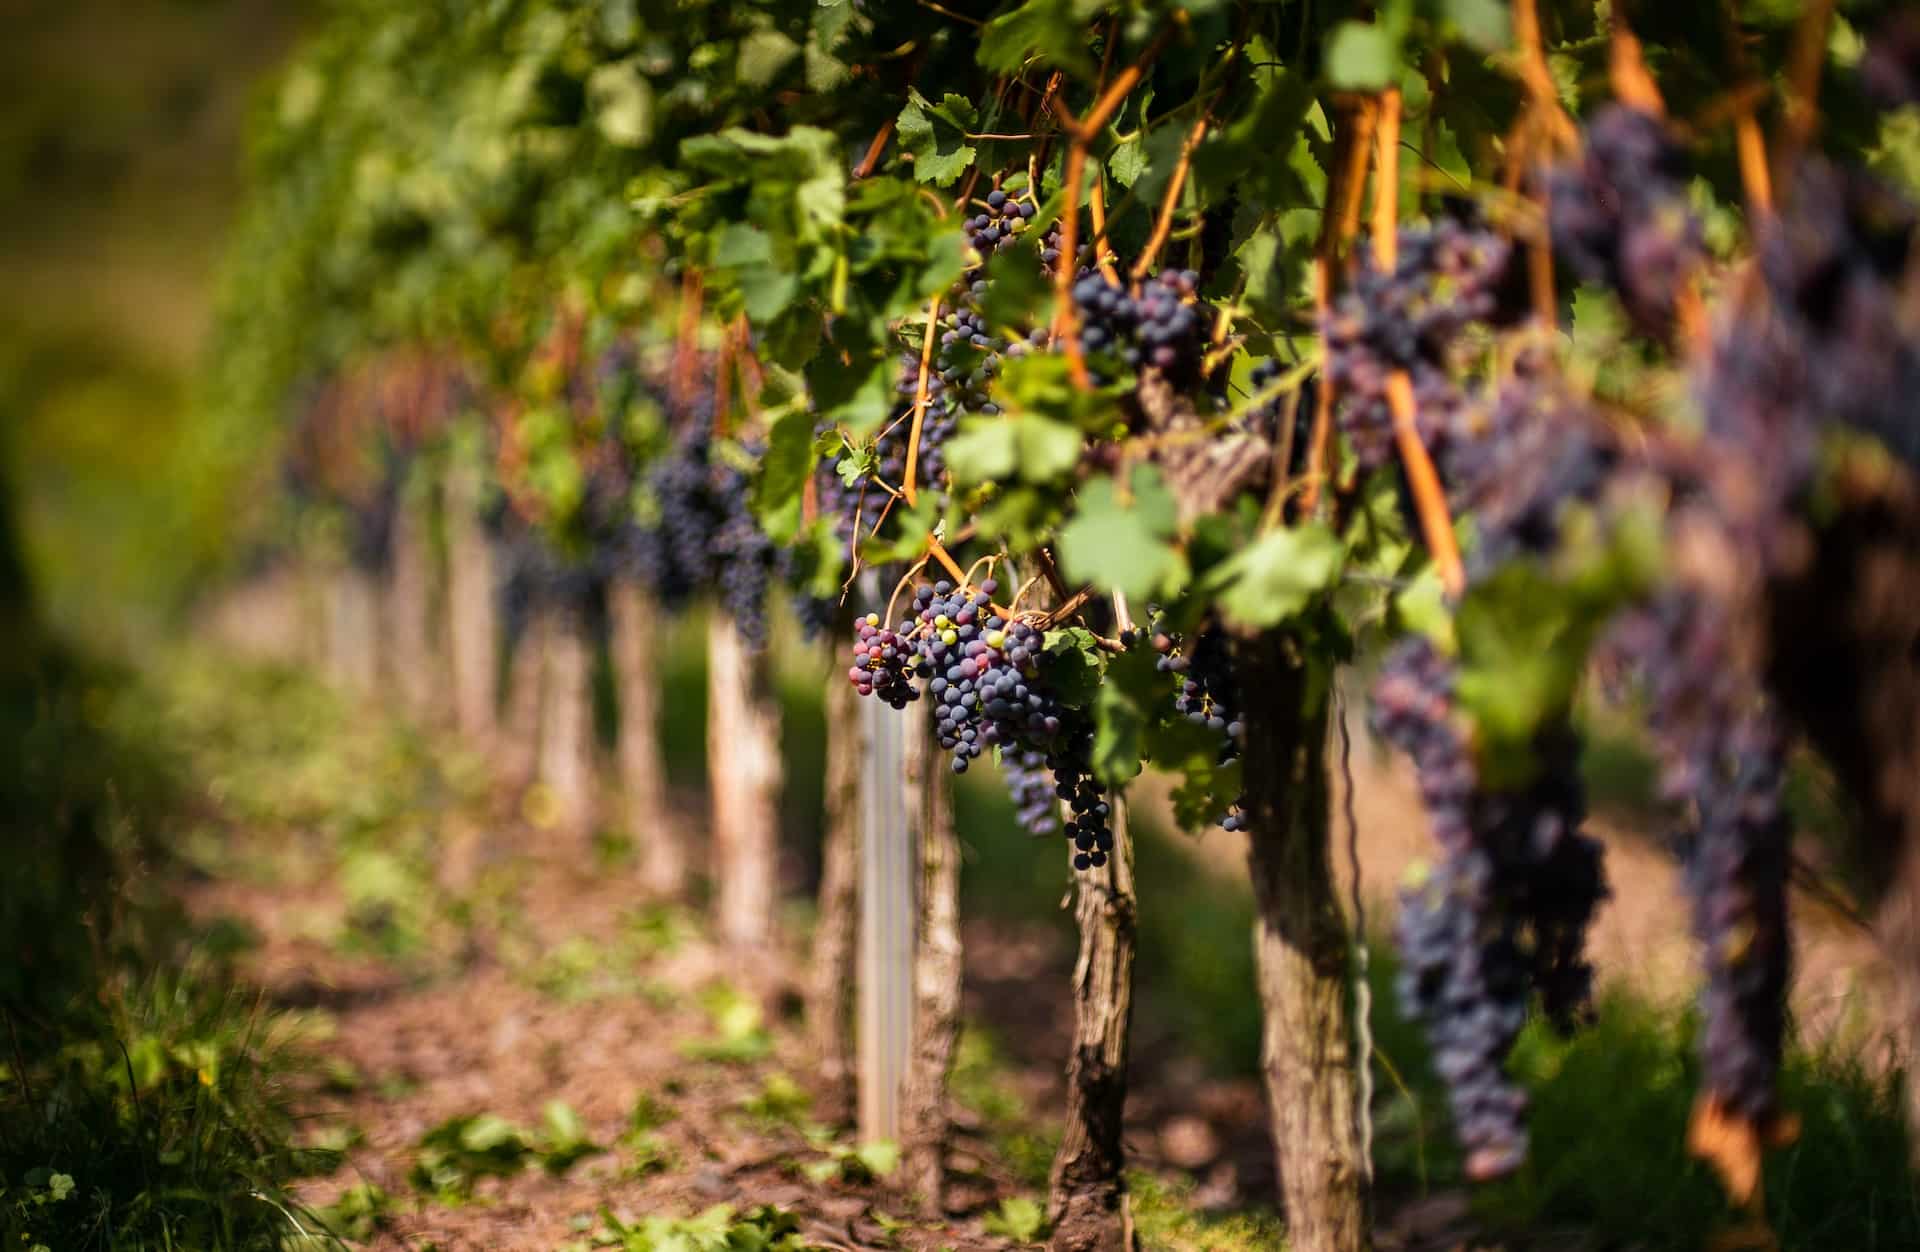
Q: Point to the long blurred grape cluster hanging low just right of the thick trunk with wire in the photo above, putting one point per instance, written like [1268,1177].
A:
[1502,915]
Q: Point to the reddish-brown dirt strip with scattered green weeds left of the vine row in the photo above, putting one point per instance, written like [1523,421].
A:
[594,1005]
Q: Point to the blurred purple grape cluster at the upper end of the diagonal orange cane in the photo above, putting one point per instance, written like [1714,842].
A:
[1447,277]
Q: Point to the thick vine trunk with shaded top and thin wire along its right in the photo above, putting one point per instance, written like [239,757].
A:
[1301,950]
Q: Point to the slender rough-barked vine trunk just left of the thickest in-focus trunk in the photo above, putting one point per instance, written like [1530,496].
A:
[1088,1205]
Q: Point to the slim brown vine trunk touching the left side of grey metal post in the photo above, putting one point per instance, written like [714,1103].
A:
[832,982]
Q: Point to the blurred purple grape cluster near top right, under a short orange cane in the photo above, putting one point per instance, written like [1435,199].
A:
[1620,214]
